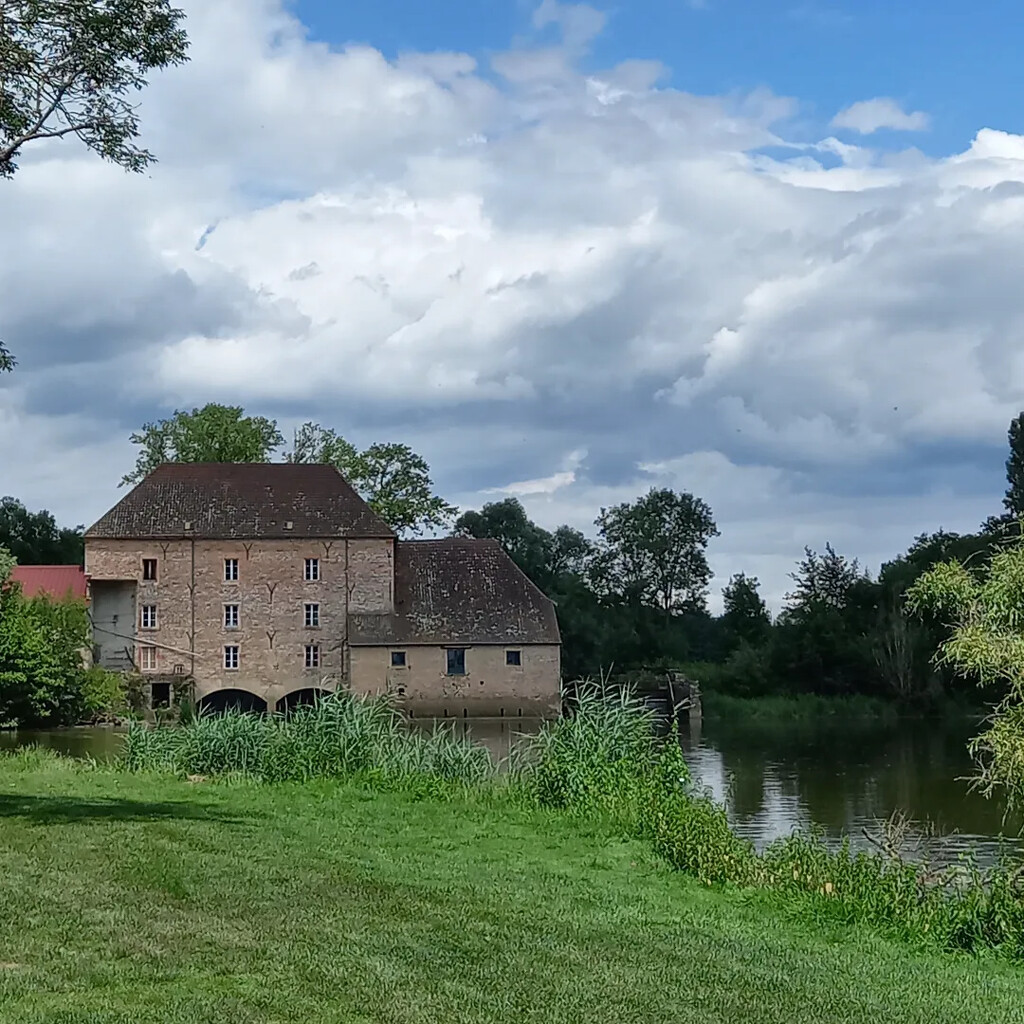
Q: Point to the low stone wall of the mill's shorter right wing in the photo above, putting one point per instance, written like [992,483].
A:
[490,689]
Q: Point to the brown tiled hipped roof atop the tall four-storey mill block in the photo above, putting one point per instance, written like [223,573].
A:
[240,501]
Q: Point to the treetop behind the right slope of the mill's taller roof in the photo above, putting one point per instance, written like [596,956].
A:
[392,478]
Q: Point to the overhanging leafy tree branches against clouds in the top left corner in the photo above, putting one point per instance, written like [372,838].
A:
[71,67]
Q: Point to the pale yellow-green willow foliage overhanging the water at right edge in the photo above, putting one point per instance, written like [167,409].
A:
[985,612]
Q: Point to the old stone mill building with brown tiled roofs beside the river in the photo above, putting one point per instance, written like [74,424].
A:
[261,585]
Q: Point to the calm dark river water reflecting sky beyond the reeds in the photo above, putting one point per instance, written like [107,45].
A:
[776,777]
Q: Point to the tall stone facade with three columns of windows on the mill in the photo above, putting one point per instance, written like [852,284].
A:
[272,592]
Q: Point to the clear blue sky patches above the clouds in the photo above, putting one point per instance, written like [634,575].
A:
[959,62]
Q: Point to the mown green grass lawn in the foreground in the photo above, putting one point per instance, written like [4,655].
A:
[137,900]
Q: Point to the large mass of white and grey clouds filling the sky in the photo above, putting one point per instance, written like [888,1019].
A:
[563,284]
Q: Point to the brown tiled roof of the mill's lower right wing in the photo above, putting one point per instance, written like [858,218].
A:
[458,592]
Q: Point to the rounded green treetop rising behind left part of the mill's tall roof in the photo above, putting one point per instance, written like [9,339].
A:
[214,434]
